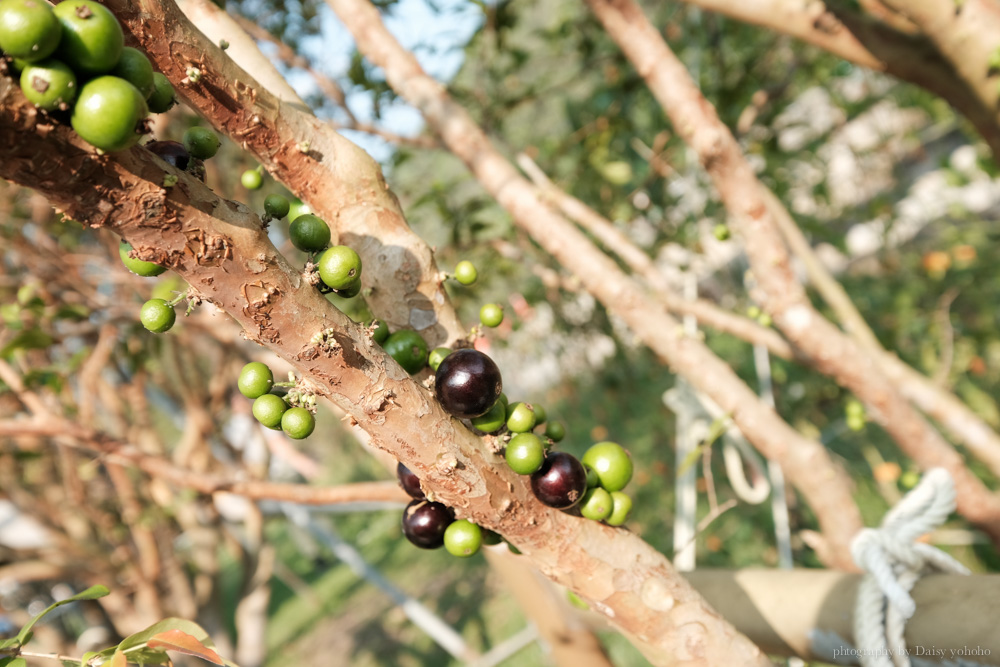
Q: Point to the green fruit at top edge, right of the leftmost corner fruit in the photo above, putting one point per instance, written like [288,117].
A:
[92,40]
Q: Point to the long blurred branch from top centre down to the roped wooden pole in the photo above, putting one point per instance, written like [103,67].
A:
[824,484]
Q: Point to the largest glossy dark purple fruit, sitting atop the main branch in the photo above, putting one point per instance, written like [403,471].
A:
[468,383]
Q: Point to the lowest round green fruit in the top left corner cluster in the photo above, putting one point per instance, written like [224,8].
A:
[108,113]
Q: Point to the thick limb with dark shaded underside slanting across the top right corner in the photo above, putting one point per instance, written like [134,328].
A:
[861,38]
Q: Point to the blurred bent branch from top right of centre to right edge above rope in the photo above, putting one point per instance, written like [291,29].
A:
[831,352]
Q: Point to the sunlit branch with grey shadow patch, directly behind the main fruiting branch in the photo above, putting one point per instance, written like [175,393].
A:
[339,180]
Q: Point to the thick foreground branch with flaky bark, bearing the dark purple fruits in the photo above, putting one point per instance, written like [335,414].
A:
[221,250]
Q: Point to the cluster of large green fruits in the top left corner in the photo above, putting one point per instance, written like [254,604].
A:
[72,58]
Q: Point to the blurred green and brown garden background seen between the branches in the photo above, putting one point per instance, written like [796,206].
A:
[883,177]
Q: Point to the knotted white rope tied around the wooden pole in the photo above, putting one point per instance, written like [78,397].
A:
[893,562]
